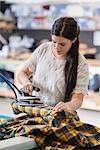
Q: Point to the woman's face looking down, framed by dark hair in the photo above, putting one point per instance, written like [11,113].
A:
[61,46]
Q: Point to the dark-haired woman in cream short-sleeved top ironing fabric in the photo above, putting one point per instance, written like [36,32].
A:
[58,70]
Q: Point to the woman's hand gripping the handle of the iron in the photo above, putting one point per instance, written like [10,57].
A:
[27,87]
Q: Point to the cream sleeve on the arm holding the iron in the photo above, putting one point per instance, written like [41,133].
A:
[31,63]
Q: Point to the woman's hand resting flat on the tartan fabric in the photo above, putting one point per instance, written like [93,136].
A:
[63,106]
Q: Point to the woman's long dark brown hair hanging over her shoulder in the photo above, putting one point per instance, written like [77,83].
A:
[67,27]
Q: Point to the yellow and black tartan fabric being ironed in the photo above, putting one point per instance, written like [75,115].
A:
[61,131]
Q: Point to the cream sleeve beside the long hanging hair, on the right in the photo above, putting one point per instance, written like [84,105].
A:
[82,77]
